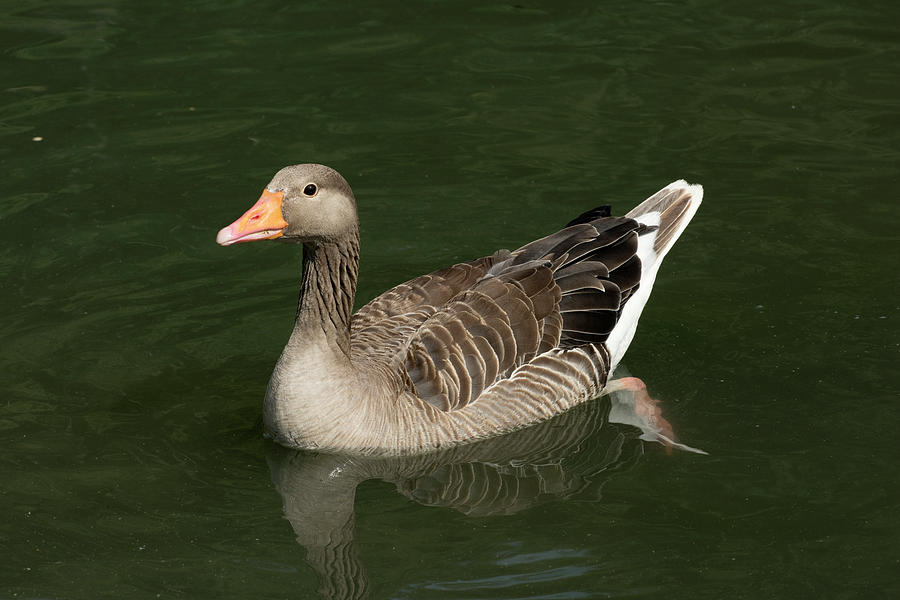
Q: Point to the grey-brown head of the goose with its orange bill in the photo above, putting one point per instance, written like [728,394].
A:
[302,203]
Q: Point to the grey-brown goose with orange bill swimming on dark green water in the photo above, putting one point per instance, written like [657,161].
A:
[468,352]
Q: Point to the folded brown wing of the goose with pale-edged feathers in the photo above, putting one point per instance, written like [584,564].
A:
[459,331]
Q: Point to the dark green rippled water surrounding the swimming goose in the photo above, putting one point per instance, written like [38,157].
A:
[135,352]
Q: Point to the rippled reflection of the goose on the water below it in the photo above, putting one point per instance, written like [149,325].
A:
[570,456]
